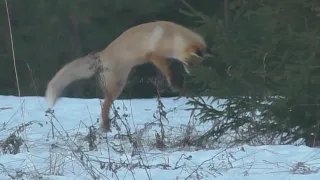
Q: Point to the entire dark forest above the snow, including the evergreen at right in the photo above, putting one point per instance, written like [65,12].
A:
[266,56]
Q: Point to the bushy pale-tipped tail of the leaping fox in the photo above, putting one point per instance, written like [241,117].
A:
[81,68]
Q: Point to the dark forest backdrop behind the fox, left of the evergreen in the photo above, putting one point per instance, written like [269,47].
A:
[49,34]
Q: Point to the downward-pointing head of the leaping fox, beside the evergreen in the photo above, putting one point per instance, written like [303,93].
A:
[194,55]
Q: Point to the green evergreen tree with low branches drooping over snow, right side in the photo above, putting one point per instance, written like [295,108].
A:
[266,70]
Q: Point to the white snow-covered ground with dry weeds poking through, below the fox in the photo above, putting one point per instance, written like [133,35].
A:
[60,146]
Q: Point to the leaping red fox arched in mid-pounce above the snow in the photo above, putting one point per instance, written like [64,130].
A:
[153,42]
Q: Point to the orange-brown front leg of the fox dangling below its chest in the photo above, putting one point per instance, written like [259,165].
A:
[163,65]
